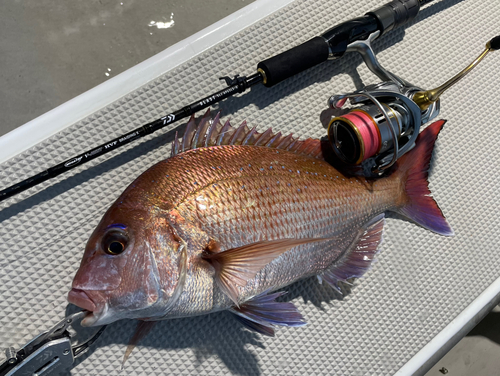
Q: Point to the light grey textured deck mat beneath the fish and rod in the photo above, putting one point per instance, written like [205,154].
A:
[421,282]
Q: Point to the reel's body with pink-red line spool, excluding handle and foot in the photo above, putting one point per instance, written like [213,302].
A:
[382,126]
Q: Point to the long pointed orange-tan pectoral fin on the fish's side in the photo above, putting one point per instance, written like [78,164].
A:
[235,267]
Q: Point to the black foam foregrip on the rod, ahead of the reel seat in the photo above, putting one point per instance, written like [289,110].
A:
[293,61]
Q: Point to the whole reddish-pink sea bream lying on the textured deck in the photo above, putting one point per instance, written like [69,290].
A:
[234,215]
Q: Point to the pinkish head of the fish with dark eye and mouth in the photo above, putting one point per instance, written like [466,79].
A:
[131,267]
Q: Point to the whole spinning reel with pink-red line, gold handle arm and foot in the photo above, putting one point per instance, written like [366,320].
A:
[387,116]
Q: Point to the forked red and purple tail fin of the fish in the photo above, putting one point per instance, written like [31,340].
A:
[413,170]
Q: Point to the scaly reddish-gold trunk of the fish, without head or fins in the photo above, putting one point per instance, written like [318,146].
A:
[235,195]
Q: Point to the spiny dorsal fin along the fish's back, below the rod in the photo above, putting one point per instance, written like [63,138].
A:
[206,132]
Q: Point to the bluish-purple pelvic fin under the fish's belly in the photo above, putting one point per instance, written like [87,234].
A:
[263,312]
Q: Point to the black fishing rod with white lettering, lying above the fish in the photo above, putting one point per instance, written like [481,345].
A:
[331,45]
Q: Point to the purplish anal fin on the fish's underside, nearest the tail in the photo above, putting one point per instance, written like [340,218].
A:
[360,256]
